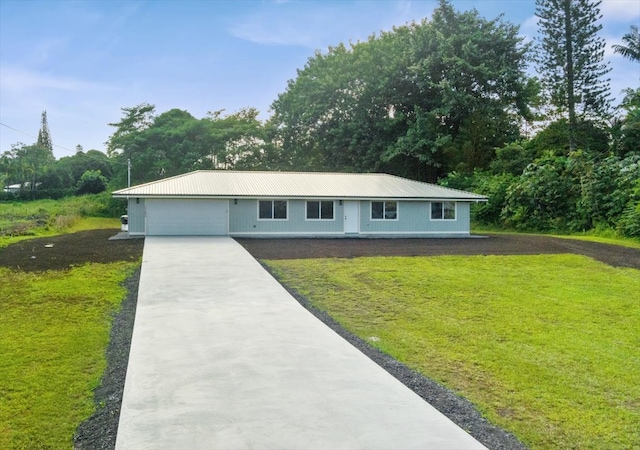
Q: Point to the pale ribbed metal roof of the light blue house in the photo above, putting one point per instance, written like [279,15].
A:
[239,184]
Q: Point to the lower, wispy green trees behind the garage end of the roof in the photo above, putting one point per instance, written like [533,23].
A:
[175,142]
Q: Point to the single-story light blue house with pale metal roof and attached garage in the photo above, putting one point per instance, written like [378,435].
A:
[290,204]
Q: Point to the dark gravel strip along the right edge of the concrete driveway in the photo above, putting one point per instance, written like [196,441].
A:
[458,409]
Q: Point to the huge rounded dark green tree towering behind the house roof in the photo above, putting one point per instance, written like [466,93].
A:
[419,101]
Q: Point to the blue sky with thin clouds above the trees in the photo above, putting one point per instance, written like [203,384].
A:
[82,61]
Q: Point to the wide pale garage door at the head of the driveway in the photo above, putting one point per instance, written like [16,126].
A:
[186,217]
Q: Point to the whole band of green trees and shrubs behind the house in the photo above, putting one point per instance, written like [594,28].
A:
[448,100]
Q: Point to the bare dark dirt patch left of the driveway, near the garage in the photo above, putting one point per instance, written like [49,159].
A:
[68,250]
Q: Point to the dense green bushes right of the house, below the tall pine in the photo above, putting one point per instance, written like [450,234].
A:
[573,193]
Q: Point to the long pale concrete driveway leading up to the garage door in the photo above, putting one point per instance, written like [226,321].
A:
[223,357]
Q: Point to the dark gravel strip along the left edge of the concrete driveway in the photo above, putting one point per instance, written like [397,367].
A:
[99,431]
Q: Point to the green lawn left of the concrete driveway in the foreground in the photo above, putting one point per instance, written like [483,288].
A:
[53,336]
